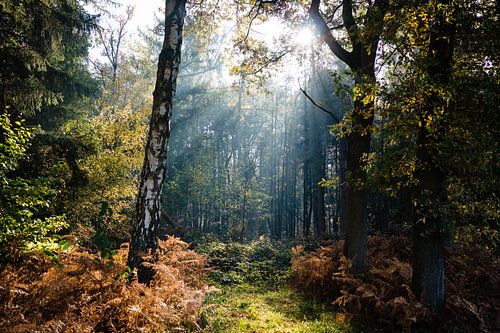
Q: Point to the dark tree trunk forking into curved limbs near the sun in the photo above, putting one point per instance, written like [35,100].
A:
[361,60]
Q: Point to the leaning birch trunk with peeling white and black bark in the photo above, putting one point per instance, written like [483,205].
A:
[145,226]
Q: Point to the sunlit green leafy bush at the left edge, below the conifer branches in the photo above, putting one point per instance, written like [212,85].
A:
[25,220]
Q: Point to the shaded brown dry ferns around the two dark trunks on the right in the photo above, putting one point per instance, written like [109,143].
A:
[383,294]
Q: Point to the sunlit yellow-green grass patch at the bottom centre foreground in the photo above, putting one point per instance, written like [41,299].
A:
[246,308]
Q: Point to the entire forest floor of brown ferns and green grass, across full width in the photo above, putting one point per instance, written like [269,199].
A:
[258,287]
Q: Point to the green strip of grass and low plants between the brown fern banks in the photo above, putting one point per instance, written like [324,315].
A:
[254,294]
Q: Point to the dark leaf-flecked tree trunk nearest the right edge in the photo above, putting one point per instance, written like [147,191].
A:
[429,225]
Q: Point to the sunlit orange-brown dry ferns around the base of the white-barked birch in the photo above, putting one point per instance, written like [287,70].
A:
[84,293]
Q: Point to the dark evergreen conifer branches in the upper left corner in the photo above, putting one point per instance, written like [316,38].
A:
[43,47]
